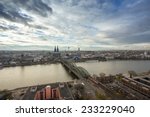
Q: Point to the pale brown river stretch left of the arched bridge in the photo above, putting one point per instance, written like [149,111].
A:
[14,77]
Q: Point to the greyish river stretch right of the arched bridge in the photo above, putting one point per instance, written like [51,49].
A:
[115,67]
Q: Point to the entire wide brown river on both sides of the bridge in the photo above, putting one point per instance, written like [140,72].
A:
[14,77]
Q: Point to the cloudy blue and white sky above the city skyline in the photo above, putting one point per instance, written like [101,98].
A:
[73,24]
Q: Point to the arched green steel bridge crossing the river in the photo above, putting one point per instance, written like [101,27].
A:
[78,72]
